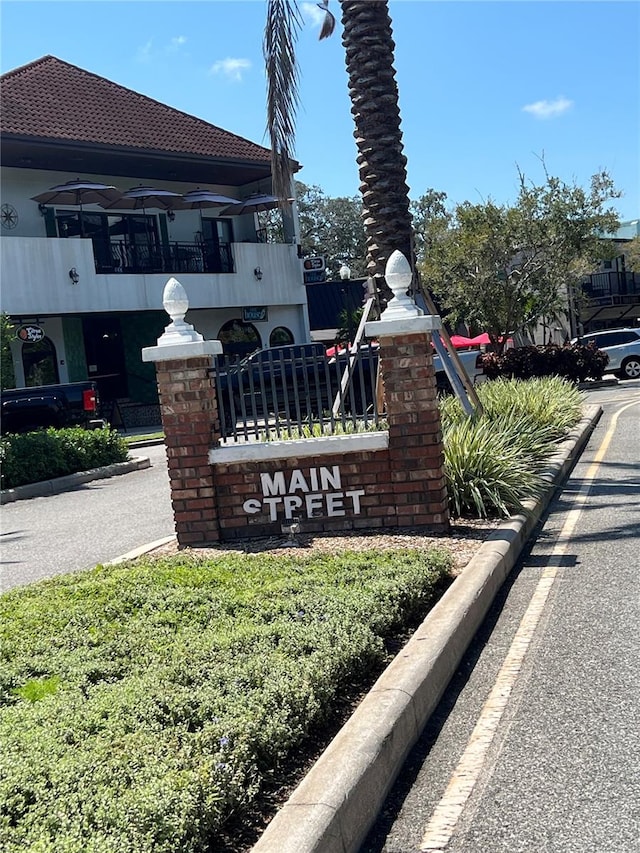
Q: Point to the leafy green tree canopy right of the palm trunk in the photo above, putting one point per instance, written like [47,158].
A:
[504,268]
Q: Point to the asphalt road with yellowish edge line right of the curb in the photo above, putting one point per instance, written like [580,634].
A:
[536,745]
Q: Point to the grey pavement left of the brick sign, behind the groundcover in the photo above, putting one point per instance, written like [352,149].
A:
[94,523]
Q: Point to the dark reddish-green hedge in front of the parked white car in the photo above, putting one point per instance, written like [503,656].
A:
[574,362]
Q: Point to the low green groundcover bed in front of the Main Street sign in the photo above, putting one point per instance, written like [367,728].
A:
[141,705]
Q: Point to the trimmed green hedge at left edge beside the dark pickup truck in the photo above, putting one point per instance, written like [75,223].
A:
[42,455]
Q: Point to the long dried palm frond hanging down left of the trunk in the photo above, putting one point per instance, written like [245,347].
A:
[280,37]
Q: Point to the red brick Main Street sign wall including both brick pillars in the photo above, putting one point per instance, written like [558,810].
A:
[399,485]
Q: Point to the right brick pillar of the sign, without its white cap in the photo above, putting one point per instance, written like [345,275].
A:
[415,437]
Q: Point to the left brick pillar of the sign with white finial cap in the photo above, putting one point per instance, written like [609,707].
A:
[189,417]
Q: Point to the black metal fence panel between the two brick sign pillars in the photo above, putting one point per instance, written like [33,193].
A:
[297,391]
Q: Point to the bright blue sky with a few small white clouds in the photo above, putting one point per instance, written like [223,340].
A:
[485,87]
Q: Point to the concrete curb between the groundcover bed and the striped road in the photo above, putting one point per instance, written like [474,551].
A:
[335,805]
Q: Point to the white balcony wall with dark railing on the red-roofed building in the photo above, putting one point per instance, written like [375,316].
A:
[39,271]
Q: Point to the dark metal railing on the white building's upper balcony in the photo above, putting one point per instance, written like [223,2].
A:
[175,257]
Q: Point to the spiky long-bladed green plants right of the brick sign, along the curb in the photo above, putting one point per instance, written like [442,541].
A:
[492,461]
